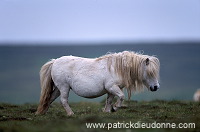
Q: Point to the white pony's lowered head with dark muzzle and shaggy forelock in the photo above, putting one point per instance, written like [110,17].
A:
[151,73]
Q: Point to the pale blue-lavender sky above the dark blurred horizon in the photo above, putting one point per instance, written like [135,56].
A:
[99,20]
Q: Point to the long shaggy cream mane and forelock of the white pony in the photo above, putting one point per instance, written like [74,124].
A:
[129,66]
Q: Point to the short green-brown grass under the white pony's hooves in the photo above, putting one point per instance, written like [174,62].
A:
[21,118]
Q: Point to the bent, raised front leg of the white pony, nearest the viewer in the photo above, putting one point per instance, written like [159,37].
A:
[115,90]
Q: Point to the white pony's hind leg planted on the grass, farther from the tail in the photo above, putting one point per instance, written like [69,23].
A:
[64,94]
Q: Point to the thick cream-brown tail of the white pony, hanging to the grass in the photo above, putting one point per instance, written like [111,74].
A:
[46,83]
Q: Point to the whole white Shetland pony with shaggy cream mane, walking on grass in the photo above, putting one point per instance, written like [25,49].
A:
[92,78]
